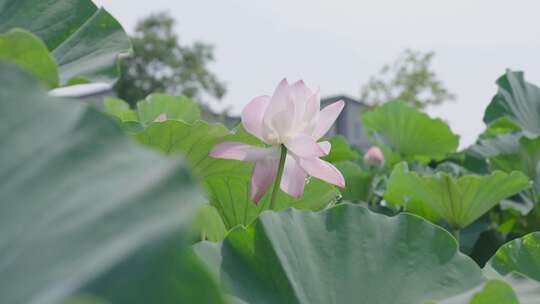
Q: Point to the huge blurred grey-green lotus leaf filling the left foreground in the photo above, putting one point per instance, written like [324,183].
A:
[78,197]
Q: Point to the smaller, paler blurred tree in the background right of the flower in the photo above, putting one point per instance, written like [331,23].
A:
[409,78]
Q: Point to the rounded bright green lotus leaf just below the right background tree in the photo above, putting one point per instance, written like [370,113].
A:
[409,132]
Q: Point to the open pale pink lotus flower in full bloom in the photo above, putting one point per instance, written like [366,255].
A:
[291,118]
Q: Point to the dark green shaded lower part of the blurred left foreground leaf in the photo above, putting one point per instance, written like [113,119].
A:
[173,275]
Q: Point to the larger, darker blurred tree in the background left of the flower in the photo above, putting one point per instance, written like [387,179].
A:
[160,64]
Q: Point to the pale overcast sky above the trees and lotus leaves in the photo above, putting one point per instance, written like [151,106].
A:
[338,44]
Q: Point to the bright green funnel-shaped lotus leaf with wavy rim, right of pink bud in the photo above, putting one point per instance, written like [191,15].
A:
[459,201]
